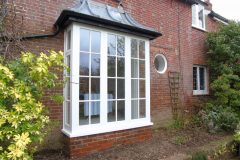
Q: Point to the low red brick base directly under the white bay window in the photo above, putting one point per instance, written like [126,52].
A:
[82,146]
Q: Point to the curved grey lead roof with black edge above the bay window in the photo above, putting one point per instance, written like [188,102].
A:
[102,15]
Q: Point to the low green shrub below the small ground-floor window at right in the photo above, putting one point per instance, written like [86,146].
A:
[218,118]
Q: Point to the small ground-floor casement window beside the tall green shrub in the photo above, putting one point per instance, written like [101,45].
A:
[200,80]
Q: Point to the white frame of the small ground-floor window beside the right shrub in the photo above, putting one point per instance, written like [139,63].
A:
[206,80]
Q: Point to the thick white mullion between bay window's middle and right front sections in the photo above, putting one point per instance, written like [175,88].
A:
[128,79]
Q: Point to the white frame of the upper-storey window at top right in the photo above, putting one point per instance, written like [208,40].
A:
[196,25]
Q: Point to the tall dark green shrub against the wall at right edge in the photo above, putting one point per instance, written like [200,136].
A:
[224,63]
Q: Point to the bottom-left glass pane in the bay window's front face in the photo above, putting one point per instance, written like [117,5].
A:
[83,113]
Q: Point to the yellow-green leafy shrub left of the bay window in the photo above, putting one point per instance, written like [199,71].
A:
[22,116]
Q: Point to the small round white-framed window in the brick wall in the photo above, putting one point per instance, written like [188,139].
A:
[160,63]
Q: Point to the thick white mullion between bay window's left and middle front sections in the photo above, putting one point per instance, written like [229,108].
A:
[103,79]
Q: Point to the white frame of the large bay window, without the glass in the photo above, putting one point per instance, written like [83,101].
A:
[75,130]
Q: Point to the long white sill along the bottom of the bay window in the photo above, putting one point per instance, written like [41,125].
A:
[109,127]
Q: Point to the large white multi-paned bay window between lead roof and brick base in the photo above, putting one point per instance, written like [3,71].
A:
[108,88]
